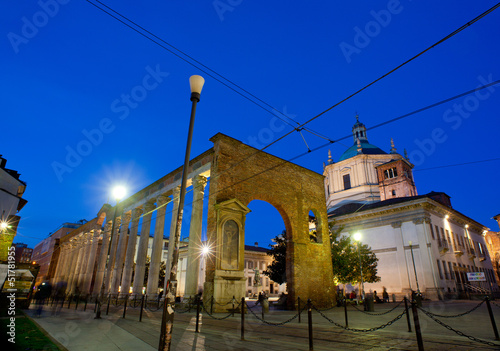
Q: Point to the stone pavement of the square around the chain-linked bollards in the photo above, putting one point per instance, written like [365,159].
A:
[77,330]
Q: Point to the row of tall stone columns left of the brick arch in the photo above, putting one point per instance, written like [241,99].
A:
[78,257]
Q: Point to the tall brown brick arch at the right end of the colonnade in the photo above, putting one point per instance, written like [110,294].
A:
[240,174]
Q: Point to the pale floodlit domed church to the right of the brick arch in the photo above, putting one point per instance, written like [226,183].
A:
[421,242]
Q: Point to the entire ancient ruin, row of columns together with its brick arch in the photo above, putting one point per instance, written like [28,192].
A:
[238,174]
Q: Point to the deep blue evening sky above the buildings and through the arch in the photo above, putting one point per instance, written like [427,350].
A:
[64,78]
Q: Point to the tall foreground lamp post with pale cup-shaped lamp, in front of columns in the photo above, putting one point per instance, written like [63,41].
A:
[167,321]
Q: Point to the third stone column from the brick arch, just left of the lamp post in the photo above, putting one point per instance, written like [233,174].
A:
[154,266]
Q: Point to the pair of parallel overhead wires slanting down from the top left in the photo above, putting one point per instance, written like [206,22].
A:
[206,68]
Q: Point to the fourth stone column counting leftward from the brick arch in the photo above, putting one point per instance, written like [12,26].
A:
[142,251]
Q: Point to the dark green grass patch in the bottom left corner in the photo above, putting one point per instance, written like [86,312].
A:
[28,336]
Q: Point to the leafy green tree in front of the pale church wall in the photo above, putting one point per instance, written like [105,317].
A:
[346,259]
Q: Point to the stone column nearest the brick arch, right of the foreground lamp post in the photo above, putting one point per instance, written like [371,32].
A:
[194,249]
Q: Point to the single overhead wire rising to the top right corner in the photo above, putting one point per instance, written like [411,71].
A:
[393,70]
